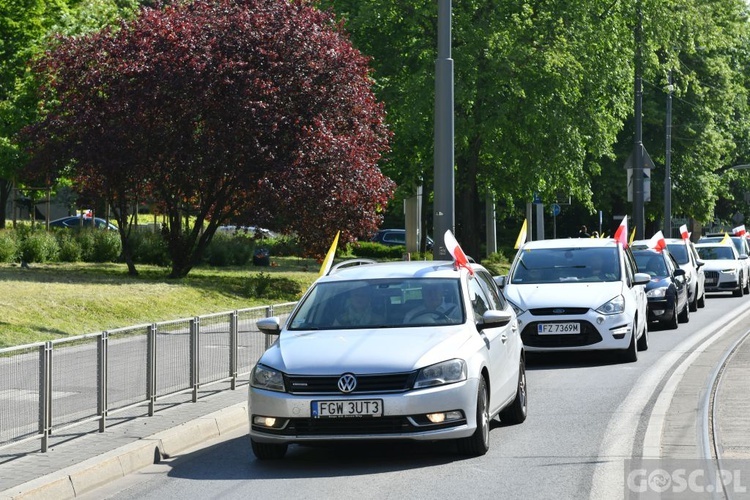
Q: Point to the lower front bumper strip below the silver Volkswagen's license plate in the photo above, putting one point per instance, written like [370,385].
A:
[353,426]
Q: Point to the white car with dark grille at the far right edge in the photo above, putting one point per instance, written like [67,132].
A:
[724,268]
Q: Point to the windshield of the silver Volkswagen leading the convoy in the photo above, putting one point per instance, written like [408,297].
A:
[380,303]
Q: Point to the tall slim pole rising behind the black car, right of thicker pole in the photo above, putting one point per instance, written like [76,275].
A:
[638,198]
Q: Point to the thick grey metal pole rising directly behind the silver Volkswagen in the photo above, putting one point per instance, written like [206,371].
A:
[444,216]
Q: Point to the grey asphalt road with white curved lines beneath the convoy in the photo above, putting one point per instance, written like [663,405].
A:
[588,414]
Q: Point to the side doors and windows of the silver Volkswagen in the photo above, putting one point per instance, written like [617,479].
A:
[503,342]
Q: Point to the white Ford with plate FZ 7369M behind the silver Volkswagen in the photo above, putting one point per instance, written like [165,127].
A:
[578,294]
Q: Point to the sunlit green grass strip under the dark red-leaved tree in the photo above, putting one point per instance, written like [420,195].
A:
[53,301]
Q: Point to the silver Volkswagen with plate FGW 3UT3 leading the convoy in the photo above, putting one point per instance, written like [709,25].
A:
[390,351]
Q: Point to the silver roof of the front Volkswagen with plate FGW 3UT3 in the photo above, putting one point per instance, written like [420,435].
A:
[396,269]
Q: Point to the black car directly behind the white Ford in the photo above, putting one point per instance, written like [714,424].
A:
[667,292]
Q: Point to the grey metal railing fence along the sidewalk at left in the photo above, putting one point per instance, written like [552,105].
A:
[62,383]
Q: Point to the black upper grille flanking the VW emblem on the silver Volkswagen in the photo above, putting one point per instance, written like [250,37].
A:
[366,384]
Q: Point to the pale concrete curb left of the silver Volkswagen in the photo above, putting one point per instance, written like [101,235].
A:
[98,471]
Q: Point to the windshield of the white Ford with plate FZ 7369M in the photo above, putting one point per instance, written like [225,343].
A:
[557,265]
